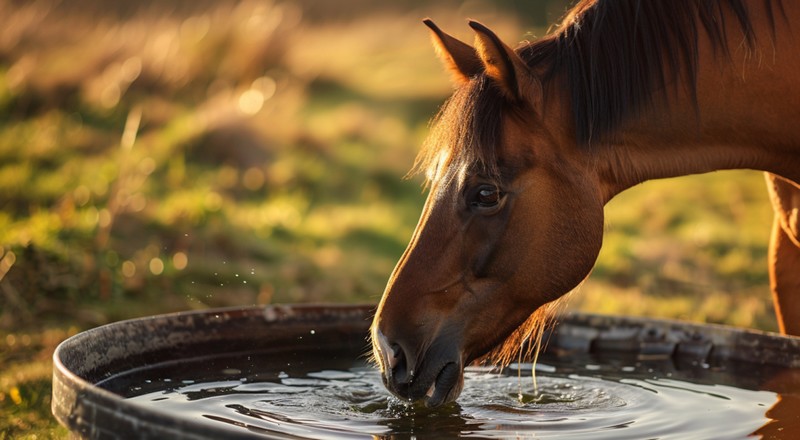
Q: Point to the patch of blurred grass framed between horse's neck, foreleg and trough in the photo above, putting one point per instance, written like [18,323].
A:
[693,248]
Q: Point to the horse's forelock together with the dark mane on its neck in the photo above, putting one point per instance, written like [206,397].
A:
[613,55]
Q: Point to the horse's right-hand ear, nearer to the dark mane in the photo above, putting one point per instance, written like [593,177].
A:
[501,63]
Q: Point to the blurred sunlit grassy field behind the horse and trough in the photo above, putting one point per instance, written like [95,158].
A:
[159,156]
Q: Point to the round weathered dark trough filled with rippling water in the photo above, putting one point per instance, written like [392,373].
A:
[299,371]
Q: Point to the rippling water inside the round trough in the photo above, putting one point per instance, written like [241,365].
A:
[329,395]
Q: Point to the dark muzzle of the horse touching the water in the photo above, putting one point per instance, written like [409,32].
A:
[434,378]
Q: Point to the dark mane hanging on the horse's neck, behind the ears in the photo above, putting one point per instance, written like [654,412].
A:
[615,54]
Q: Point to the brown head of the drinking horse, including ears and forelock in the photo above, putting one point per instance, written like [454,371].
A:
[513,221]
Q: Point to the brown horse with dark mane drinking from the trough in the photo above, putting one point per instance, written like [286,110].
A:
[535,141]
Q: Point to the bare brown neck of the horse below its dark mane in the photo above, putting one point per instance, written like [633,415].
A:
[745,115]
